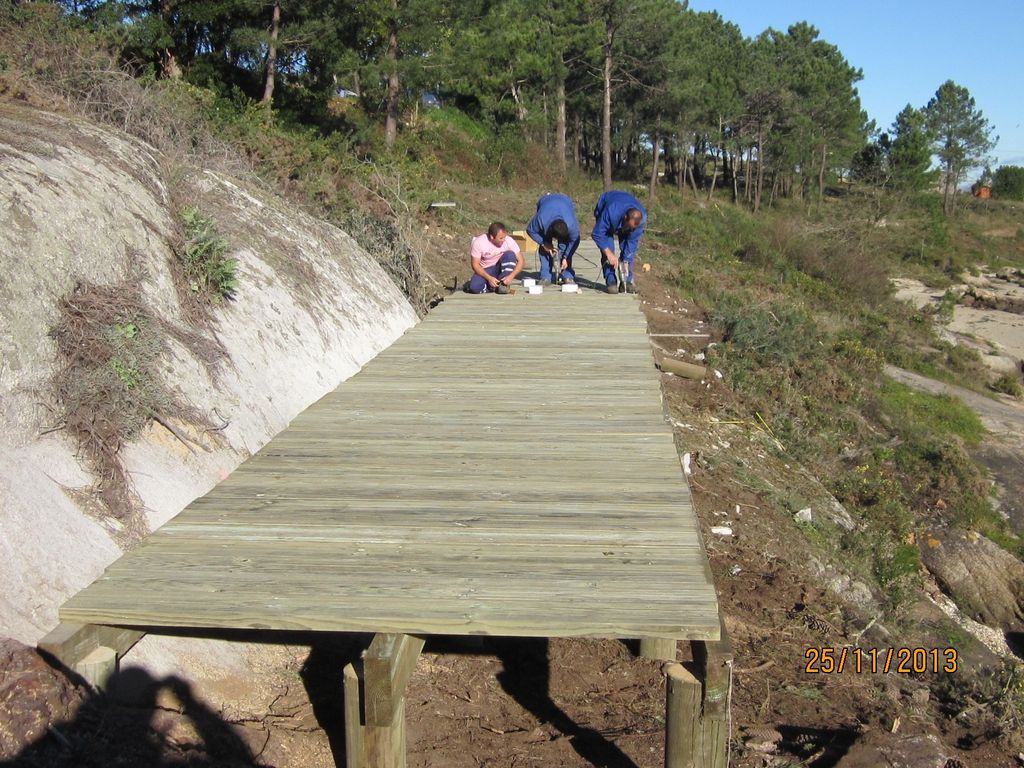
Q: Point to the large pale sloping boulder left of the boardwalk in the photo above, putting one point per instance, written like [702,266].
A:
[84,204]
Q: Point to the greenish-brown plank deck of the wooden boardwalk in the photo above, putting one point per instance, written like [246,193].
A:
[503,470]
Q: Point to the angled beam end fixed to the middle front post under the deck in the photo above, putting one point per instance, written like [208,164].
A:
[388,666]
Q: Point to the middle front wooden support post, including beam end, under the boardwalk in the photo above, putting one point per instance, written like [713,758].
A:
[375,703]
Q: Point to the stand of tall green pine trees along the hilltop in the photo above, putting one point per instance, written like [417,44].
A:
[643,90]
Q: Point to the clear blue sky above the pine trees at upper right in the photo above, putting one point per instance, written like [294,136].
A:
[908,49]
